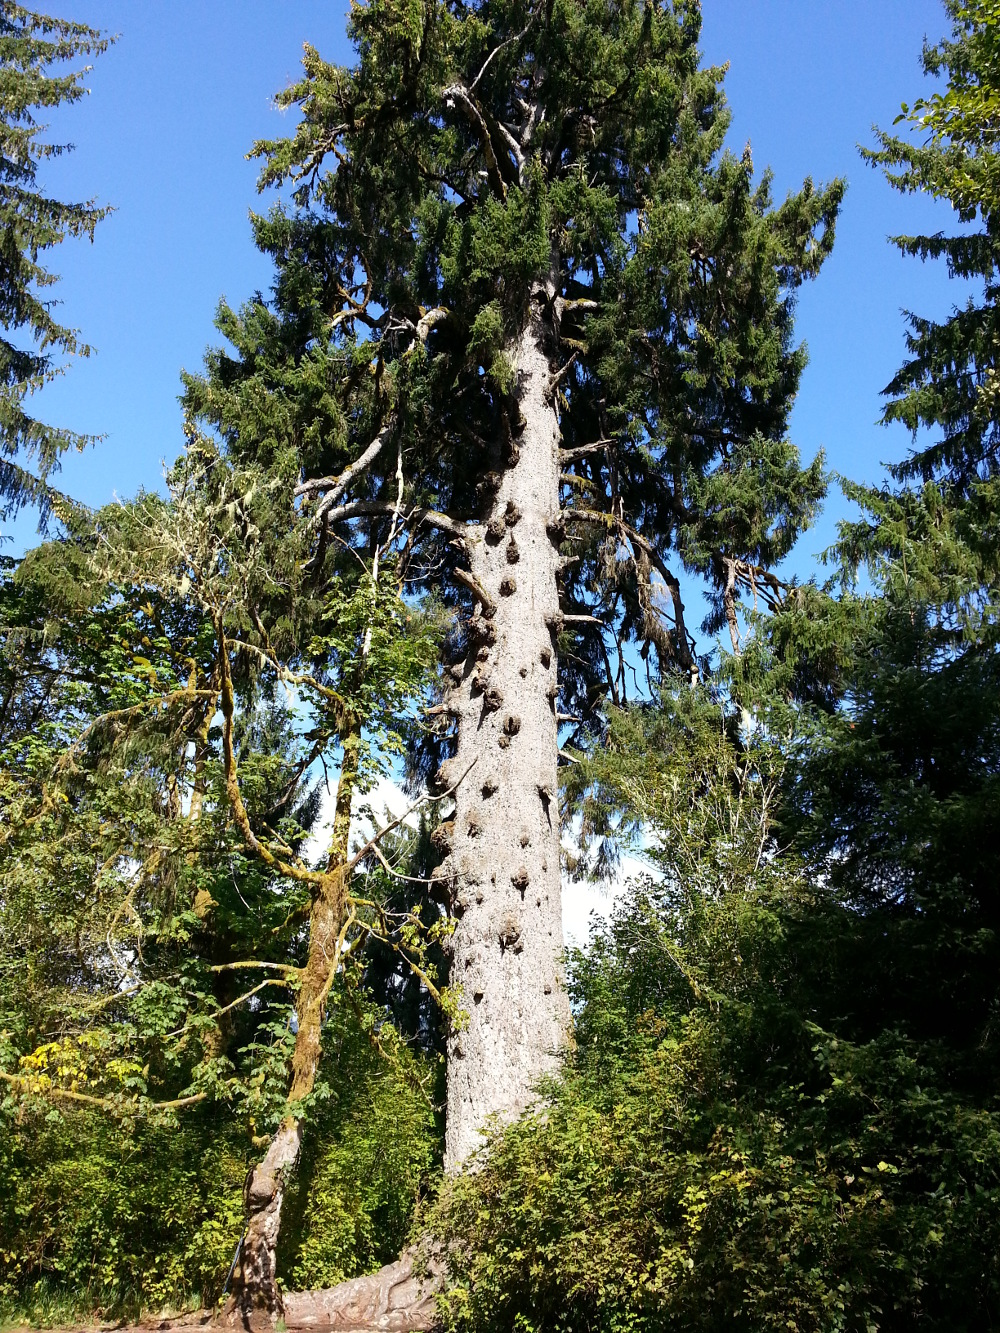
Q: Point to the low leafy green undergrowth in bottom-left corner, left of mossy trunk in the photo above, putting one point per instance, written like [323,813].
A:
[109,1220]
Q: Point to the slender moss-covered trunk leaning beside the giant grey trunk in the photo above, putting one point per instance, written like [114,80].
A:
[257,1299]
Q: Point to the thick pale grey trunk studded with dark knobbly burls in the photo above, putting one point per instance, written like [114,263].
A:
[505,863]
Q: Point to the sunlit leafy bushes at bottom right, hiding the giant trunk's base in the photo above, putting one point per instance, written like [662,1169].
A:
[715,1160]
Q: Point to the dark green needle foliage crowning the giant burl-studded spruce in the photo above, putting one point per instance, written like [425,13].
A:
[478,149]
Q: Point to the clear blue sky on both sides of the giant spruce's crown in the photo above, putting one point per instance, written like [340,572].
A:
[189,87]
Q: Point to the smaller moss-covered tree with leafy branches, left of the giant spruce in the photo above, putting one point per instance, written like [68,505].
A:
[169,939]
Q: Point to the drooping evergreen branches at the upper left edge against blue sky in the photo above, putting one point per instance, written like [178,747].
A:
[34,53]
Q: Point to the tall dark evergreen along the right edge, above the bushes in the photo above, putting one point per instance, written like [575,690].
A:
[895,792]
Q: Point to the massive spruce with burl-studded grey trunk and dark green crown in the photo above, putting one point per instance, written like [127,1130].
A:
[550,329]
